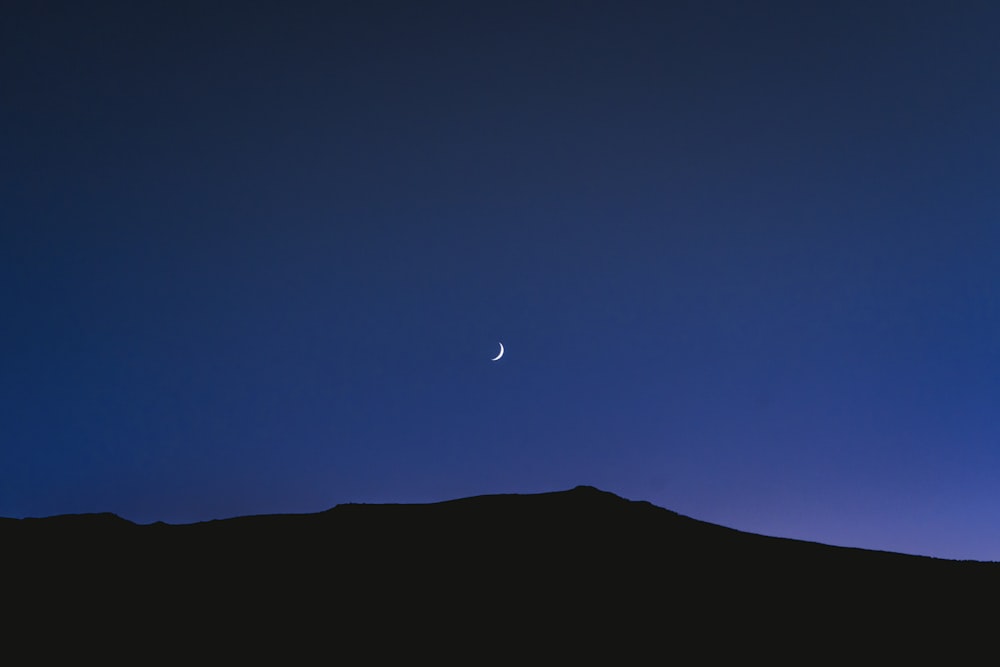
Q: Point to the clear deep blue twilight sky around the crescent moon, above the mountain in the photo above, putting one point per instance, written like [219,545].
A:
[256,257]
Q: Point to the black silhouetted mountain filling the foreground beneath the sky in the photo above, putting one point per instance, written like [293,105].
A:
[534,579]
